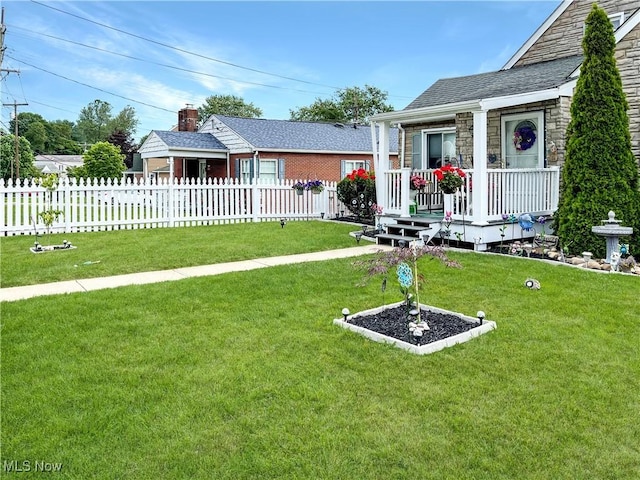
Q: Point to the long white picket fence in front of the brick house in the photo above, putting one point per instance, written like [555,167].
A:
[115,205]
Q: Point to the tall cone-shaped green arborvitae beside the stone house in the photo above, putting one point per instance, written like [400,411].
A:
[600,172]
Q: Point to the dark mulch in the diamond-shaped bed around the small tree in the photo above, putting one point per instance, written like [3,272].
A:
[394,321]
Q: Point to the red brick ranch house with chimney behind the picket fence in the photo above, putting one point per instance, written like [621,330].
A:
[251,148]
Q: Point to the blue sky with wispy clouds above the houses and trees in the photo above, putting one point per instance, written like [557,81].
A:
[159,56]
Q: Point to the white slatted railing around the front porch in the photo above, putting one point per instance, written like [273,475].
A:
[509,191]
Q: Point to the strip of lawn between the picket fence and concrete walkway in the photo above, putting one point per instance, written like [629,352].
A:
[129,251]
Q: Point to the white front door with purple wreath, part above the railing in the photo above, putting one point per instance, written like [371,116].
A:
[523,140]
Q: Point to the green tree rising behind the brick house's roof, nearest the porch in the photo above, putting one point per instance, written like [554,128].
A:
[348,105]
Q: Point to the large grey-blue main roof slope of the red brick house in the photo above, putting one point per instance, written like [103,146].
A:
[315,136]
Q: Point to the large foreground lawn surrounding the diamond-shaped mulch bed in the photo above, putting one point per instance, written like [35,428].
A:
[243,376]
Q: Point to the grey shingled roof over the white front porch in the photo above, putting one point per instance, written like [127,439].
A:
[516,80]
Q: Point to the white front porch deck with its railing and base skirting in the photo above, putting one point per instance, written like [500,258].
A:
[477,208]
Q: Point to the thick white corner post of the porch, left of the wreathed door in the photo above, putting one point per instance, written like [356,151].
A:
[480,188]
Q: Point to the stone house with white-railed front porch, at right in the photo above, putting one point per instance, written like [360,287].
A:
[472,122]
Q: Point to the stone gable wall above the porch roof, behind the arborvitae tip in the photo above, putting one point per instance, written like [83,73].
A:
[564,37]
